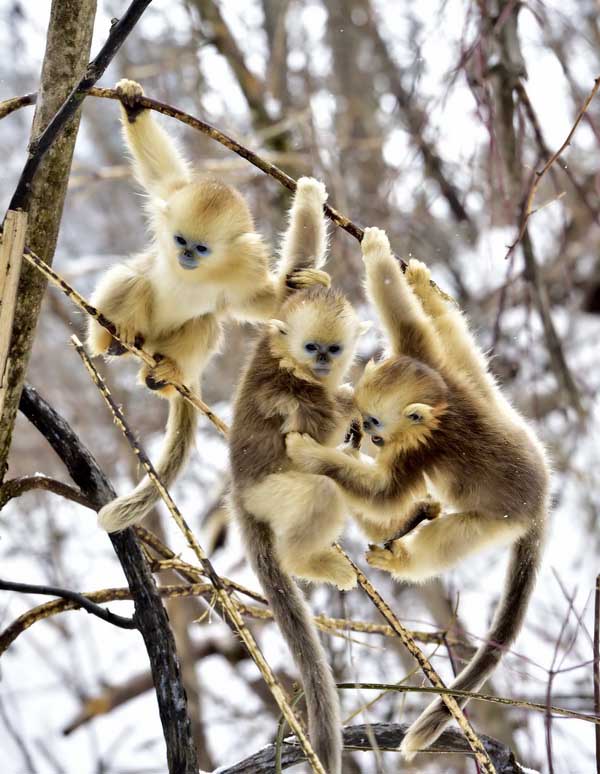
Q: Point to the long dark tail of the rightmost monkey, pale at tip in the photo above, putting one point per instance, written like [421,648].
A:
[520,580]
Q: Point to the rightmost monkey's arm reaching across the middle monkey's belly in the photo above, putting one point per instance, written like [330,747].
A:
[372,485]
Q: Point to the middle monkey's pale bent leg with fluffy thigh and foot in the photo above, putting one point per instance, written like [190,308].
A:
[306,514]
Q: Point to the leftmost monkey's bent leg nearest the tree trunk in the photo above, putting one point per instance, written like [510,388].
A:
[124,295]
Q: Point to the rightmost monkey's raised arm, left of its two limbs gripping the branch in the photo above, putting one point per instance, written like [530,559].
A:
[409,330]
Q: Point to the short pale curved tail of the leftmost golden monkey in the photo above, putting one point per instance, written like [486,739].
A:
[179,438]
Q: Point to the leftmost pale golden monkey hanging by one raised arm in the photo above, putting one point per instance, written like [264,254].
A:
[205,262]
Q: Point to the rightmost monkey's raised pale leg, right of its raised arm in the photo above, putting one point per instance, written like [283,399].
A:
[460,348]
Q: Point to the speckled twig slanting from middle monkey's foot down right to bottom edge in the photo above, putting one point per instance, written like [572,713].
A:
[453,706]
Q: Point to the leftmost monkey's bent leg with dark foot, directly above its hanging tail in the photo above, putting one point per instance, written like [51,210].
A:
[181,355]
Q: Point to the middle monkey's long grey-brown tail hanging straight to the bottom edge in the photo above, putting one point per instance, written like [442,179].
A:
[294,620]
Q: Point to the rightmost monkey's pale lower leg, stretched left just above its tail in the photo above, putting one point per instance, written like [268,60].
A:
[442,543]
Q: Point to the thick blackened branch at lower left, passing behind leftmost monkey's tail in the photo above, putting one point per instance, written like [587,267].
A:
[150,614]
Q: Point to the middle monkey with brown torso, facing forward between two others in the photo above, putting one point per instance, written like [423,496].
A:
[289,519]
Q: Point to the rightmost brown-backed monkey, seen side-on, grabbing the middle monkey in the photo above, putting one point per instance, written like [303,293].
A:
[436,415]
